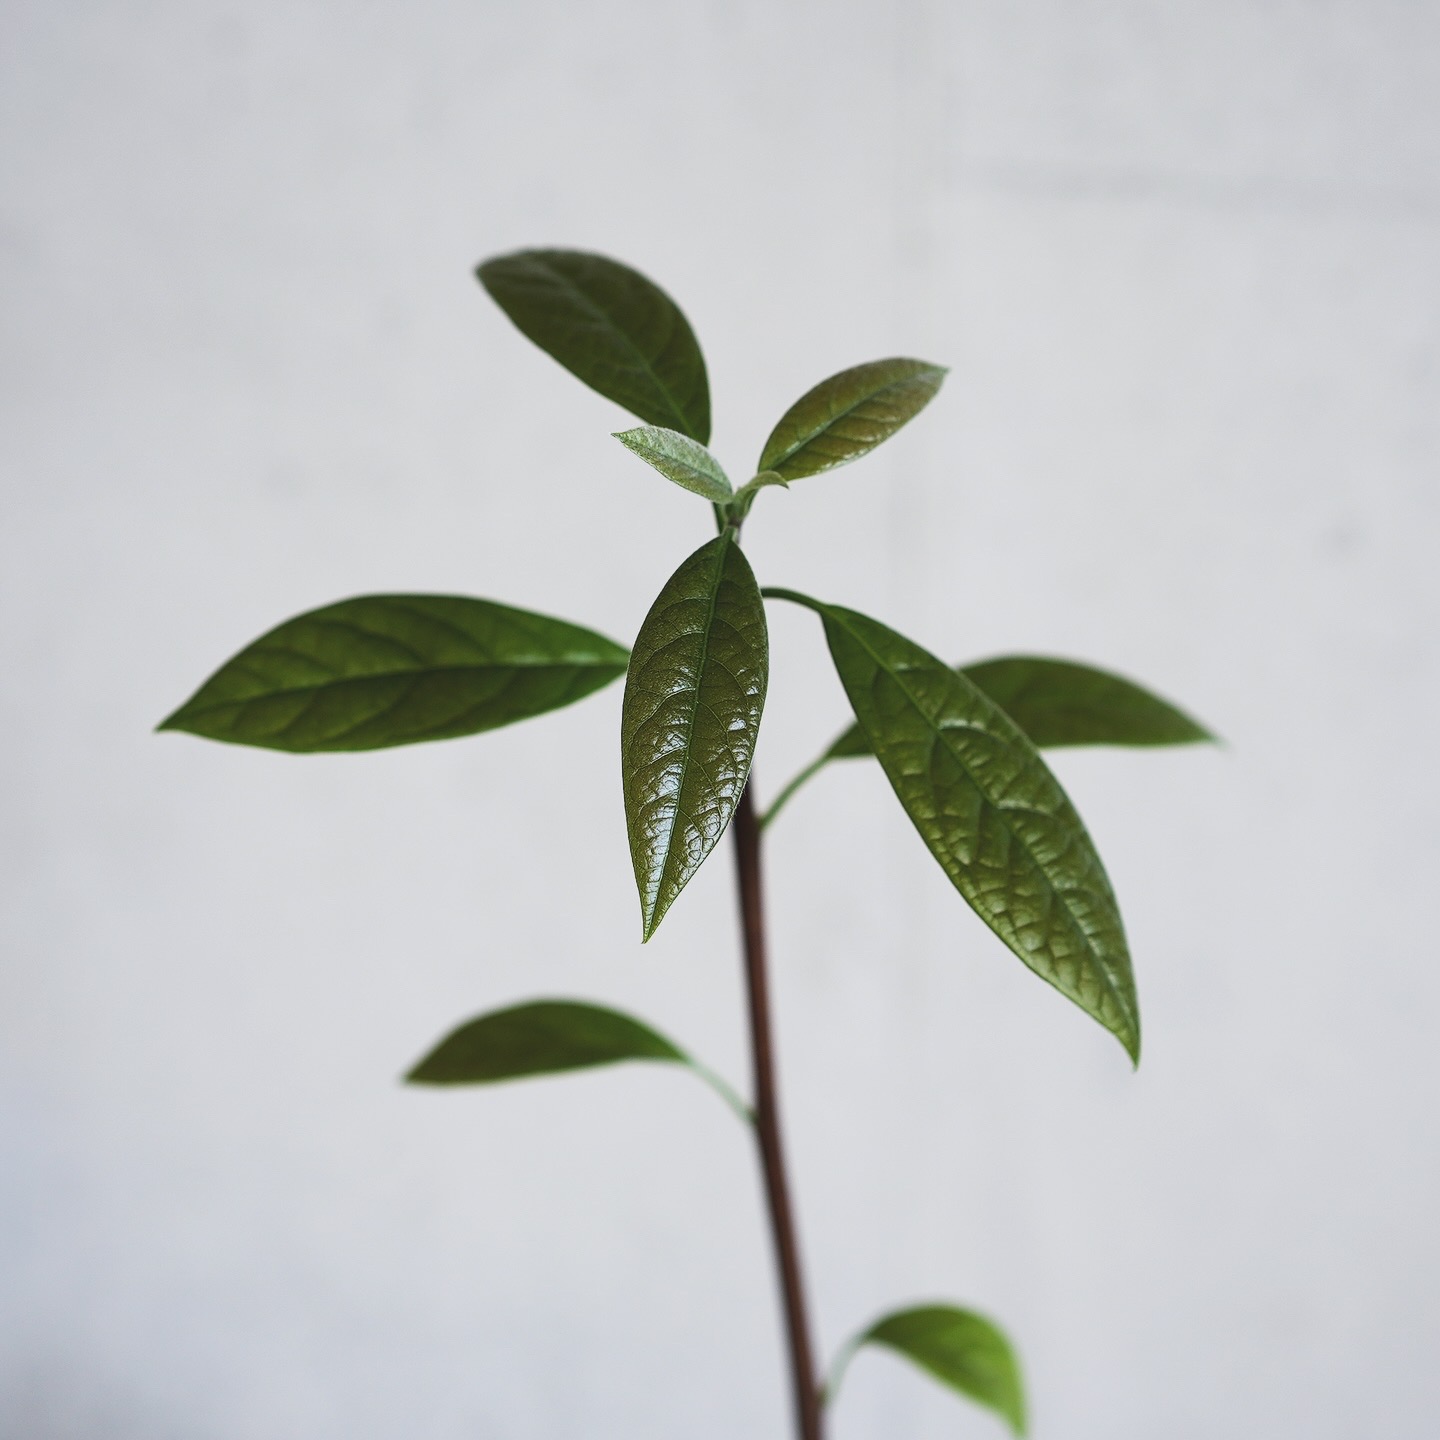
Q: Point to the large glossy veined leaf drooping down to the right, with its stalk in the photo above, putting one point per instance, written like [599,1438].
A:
[991,814]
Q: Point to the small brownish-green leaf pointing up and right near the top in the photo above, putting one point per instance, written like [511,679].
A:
[849,415]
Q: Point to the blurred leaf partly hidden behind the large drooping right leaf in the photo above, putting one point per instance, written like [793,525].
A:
[1062,703]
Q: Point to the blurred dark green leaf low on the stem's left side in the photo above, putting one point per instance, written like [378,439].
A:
[536,1039]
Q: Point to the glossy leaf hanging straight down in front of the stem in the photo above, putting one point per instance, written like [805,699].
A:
[693,702]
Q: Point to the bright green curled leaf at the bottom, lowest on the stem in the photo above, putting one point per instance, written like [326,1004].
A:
[960,1349]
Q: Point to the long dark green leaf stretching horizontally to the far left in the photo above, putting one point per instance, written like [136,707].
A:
[388,670]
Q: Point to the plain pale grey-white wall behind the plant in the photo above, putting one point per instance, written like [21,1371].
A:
[1183,263]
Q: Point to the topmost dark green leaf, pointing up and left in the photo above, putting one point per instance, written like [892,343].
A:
[610,326]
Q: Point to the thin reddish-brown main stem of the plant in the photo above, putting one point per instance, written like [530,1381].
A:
[768,1121]
